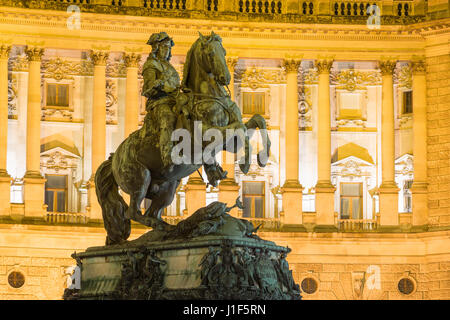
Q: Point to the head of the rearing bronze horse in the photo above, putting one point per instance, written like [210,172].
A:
[213,58]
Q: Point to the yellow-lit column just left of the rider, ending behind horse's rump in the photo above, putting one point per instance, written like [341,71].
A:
[132,93]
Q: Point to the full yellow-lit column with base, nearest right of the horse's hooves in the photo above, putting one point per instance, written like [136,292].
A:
[292,189]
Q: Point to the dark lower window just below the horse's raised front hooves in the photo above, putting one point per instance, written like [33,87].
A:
[253,195]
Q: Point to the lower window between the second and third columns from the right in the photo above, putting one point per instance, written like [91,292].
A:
[351,201]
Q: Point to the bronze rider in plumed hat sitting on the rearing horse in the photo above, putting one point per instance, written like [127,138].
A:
[161,86]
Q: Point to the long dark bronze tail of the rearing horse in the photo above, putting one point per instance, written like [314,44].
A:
[113,206]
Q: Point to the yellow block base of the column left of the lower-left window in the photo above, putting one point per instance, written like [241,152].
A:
[34,196]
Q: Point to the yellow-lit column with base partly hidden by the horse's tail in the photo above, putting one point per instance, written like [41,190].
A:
[99,59]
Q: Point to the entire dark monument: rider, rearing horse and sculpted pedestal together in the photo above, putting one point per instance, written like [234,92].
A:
[210,254]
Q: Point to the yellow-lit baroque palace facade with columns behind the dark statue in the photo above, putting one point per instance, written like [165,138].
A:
[358,110]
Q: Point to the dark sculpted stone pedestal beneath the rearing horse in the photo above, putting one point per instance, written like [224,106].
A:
[210,255]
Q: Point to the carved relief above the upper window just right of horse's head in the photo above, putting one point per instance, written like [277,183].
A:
[255,78]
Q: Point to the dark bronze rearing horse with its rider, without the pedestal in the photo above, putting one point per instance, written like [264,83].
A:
[143,165]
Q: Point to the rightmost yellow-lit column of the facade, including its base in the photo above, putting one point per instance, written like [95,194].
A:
[419,187]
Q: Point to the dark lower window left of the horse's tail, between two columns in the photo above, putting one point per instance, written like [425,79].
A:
[56,193]
